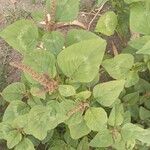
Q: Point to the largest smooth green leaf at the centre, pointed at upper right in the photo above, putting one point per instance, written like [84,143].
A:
[81,61]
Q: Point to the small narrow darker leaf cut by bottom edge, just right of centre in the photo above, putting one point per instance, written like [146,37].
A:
[84,144]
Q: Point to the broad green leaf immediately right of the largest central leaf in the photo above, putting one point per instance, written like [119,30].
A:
[119,66]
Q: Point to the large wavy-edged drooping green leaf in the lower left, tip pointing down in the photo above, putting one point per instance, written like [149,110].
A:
[39,121]
